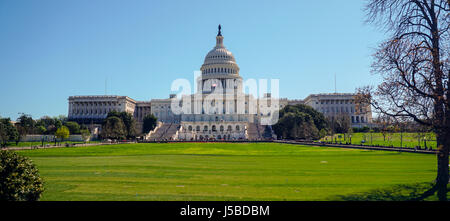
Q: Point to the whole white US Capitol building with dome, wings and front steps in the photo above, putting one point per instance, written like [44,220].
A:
[218,110]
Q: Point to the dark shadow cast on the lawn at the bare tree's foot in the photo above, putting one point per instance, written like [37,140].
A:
[413,192]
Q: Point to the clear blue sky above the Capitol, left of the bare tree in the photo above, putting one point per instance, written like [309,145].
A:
[50,50]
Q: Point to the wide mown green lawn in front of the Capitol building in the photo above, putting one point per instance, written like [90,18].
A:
[219,171]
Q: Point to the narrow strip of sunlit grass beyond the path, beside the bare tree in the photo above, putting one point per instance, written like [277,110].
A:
[394,139]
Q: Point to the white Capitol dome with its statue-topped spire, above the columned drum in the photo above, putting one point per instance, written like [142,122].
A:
[219,61]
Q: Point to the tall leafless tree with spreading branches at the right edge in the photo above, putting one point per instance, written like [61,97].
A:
[414,64]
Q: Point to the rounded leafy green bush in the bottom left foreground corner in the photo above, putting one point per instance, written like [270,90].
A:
[19,178]
